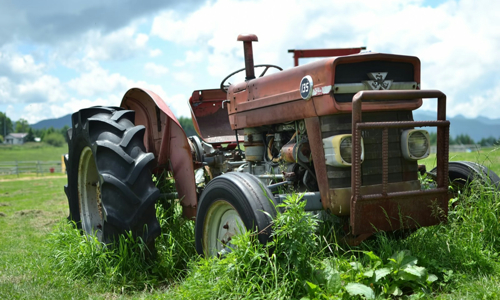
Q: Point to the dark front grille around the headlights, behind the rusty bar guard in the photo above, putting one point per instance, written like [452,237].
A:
[400,169]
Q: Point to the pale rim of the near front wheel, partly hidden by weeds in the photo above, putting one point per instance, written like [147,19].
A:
[222,223]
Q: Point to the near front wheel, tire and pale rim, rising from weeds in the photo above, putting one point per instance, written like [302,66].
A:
[232,204]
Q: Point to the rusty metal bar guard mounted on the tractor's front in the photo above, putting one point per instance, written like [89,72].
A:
[364,218]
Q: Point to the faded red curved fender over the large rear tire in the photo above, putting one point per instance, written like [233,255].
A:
[166,139]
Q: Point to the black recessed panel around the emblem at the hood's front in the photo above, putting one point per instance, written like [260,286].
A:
[358,72]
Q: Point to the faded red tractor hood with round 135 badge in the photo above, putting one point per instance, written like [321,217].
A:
[321,88]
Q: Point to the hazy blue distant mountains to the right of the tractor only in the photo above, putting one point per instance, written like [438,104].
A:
[477,128]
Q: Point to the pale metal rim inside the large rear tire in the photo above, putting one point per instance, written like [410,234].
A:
[89,195]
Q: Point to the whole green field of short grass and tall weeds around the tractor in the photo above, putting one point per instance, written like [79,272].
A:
[43,257]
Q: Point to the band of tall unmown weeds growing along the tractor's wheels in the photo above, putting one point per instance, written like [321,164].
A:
[305,260]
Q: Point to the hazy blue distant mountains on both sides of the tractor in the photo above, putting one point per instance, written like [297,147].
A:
[478,128]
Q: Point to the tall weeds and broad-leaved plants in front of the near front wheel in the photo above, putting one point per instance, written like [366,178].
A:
[297,265]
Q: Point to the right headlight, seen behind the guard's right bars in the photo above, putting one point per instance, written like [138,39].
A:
[415,144]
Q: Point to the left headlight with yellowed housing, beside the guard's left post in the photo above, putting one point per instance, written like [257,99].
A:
[338,150]
